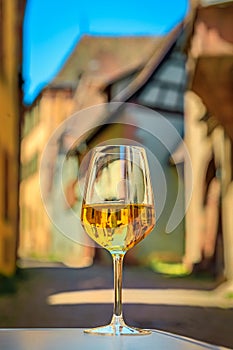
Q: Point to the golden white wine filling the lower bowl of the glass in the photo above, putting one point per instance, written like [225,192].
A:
[118,227]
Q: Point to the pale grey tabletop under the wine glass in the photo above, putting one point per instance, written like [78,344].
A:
[75,339]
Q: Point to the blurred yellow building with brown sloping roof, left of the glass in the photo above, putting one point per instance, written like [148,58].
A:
[94,62]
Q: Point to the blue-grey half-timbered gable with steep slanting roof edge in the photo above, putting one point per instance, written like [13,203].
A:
[160,84]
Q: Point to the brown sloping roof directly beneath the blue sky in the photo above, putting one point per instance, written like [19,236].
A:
[105,58]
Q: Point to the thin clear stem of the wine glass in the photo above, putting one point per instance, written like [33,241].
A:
[118,268]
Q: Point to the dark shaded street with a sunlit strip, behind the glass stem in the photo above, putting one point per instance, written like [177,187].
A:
[86,301]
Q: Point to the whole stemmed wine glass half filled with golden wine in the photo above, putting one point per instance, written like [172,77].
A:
[117,213]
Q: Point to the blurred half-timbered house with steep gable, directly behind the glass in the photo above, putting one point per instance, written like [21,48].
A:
[152,115]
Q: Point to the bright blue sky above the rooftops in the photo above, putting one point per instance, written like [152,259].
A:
[52,29]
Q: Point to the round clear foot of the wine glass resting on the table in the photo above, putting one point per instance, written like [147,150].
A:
[117,327]
